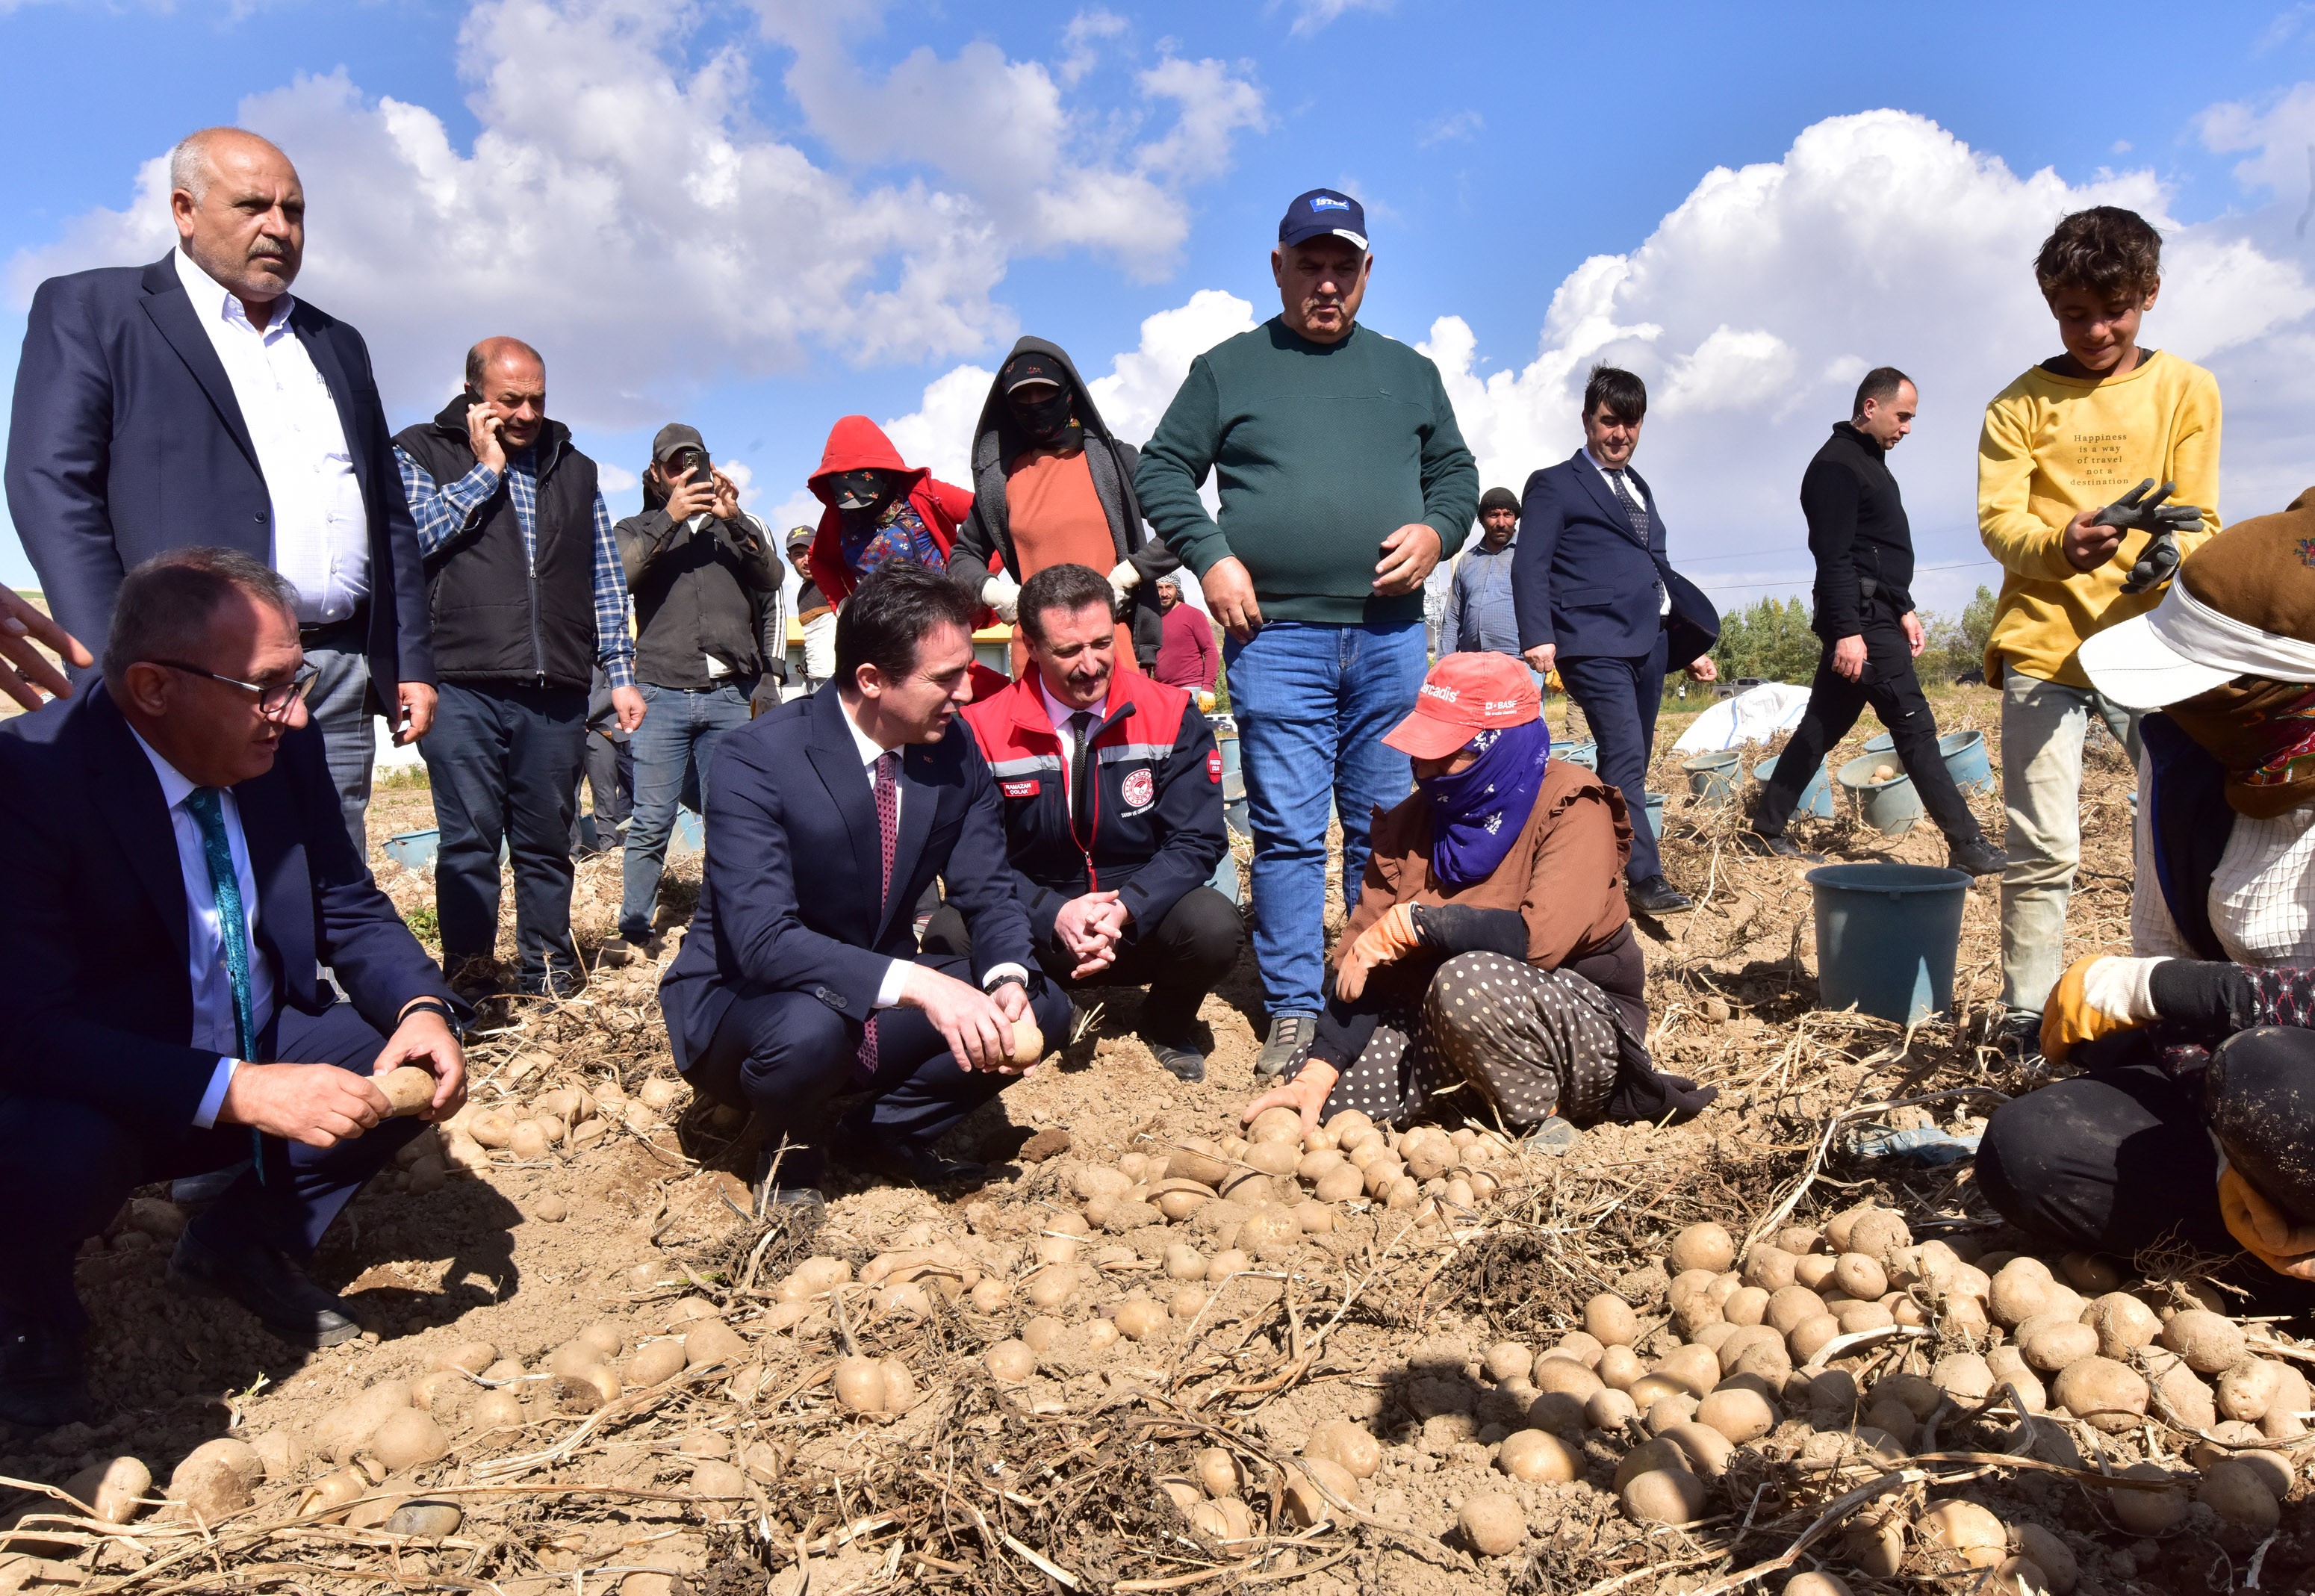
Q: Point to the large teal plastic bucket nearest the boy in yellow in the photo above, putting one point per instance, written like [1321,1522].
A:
[1888,937]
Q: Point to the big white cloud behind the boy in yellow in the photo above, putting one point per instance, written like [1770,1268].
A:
[1876,240]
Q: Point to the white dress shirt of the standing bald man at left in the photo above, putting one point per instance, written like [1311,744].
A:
[321,527]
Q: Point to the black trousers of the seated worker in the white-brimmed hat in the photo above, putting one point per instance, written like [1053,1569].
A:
[2119,1162]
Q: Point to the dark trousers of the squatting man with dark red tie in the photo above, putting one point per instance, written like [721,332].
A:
[786,1055]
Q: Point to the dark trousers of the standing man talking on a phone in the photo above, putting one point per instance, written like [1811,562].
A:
[504,766]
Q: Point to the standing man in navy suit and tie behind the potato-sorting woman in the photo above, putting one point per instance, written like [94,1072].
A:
[1599,603]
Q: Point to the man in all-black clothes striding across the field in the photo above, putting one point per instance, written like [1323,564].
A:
[1869,627]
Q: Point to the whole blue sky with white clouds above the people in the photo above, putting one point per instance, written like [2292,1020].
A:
[763,217]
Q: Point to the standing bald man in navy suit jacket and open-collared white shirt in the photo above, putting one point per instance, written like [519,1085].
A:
[198,404]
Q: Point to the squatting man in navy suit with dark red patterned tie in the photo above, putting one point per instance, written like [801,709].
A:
[828,819]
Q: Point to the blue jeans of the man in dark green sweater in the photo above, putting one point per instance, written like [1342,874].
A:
[1314,705]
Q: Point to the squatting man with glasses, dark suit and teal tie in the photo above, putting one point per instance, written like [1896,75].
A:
[179,874]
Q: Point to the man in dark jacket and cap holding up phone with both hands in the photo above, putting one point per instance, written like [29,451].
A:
[707,603]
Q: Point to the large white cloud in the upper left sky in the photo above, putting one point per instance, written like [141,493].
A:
[626,212]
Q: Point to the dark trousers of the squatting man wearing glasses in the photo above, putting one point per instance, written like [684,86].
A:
[66,1169]
